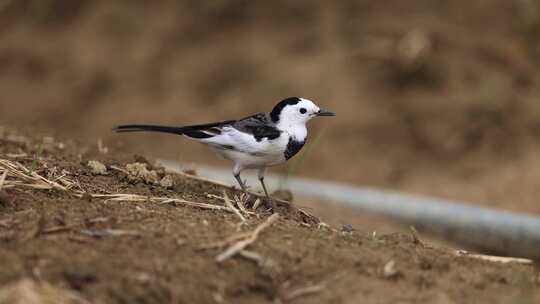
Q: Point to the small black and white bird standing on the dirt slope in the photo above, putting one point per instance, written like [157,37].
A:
[253,142]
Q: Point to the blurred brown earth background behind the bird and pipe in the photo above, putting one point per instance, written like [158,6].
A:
[435,97]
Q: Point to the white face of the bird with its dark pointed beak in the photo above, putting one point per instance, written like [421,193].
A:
[301,112]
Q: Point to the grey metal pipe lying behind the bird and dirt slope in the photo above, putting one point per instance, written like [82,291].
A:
[494,231]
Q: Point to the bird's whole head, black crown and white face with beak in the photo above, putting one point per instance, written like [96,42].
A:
[296,110]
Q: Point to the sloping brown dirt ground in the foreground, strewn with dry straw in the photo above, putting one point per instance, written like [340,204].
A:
[61,247]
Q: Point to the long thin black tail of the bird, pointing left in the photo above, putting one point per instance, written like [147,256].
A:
[195,131]
